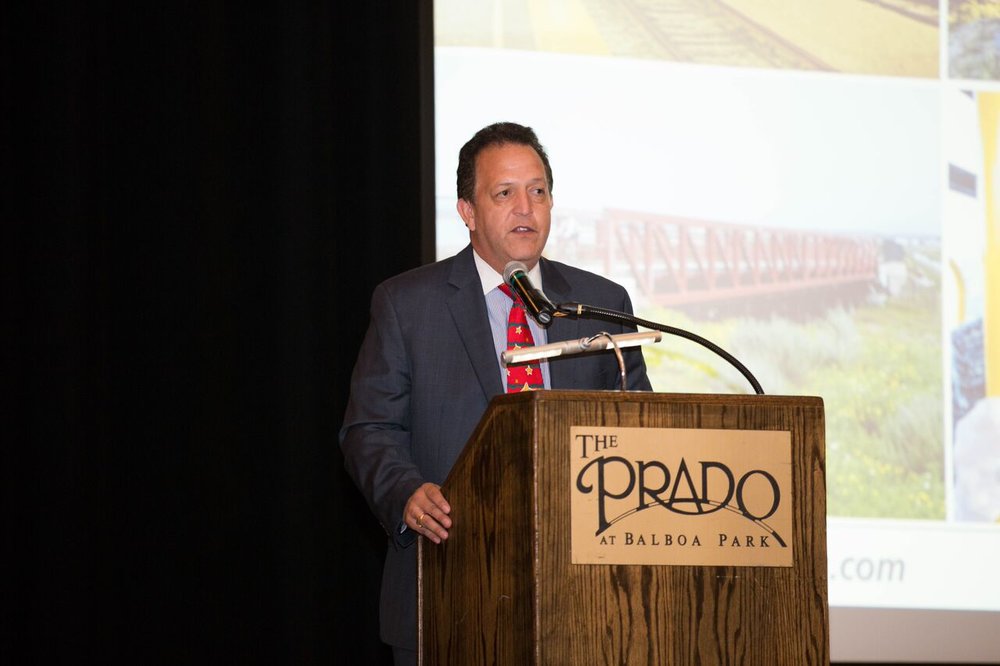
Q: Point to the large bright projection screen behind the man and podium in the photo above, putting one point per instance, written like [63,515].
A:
[812,185]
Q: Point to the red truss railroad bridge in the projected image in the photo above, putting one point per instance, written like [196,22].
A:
[678,261]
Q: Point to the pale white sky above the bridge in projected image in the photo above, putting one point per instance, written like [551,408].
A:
[837,153]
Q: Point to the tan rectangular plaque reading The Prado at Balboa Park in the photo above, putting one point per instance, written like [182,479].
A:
[681,496]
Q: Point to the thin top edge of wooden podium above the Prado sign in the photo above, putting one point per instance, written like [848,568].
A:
[565,395]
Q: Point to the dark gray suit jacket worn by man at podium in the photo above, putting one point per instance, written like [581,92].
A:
[426,371]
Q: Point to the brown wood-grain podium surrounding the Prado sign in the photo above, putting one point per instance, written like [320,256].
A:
[504,589]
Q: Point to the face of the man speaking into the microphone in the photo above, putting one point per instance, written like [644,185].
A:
[511,215]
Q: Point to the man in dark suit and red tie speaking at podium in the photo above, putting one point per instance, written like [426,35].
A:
[430,363]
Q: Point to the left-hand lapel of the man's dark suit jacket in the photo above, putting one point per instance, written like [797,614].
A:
[468,311]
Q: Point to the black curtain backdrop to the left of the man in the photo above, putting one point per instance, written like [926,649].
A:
[205,196]
